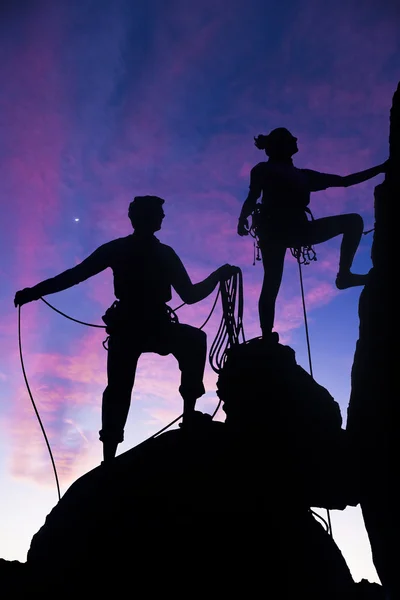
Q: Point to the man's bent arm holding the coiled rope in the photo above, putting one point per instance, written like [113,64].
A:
[195,292]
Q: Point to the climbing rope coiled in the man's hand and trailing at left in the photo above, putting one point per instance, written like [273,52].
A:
[229,333]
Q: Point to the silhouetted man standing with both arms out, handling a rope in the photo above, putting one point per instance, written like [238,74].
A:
[140,321]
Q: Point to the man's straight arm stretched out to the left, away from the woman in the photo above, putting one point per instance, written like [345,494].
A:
[93,264]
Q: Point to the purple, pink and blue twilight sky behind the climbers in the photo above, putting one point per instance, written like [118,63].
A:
[104,100]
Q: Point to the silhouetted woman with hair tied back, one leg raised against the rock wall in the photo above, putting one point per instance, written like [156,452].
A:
[282,222]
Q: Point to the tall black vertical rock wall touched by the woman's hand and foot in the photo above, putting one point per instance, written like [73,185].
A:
[372,425]
